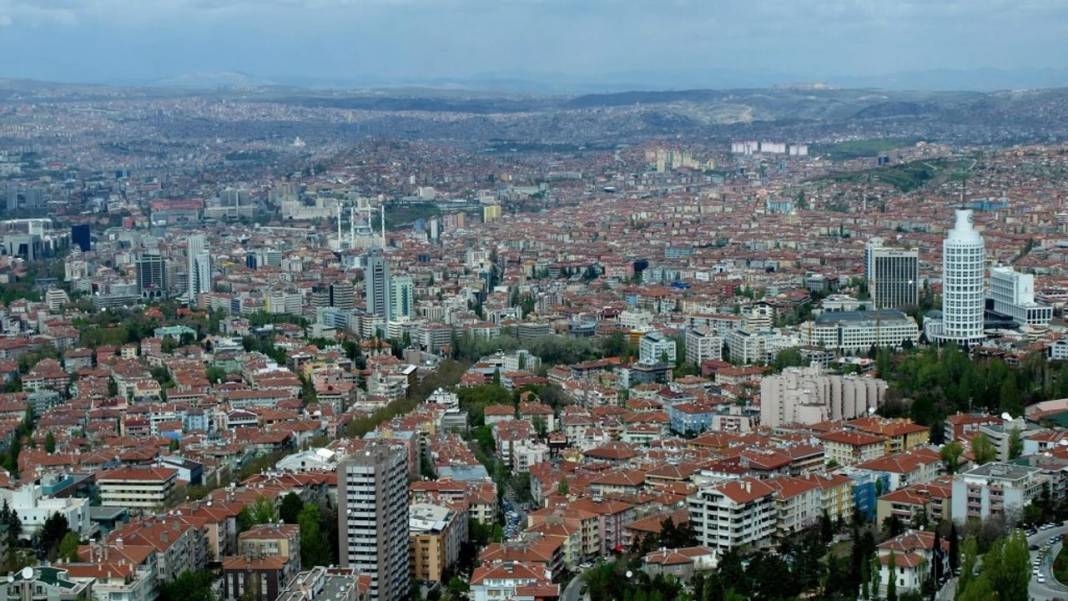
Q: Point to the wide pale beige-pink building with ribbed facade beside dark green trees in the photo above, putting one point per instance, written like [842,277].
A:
[807,396]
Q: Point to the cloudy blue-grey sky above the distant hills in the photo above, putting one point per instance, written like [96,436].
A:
[692,41]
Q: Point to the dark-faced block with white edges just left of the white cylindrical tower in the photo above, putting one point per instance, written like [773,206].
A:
[892,275]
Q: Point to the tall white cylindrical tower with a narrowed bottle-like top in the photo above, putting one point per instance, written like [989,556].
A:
[964,267]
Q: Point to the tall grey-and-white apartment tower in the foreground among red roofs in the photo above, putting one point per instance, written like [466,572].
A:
[373,519]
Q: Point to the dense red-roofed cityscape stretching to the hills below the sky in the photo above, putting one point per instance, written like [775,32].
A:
[262,343]
